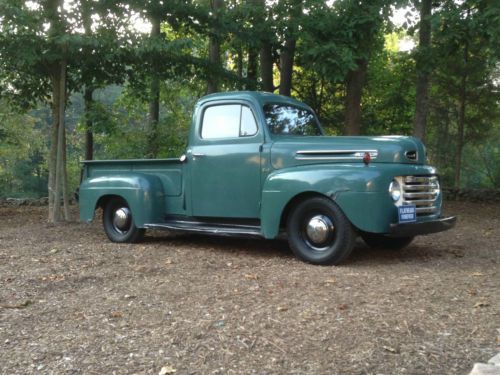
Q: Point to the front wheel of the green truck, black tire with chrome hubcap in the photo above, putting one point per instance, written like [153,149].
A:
[314,243]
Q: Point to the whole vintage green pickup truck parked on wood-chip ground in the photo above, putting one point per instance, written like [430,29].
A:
[259,164]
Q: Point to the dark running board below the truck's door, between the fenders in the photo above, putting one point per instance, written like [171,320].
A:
[208,228]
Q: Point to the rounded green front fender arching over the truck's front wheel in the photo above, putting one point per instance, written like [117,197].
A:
[361,192]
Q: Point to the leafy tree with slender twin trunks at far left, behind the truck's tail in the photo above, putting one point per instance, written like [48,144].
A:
[53,62]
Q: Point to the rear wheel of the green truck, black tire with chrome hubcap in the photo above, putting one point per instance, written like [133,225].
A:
[124,230]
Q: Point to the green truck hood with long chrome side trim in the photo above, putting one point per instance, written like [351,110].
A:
[293,151]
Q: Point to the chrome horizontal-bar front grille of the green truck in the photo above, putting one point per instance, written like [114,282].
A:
[423,192]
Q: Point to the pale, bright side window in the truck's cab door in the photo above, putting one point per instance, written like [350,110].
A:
[228,121]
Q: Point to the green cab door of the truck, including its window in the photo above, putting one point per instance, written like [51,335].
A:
[225,159]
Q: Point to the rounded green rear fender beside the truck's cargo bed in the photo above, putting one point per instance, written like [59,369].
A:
[143,193]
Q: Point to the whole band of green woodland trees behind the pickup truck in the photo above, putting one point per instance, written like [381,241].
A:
[85,79]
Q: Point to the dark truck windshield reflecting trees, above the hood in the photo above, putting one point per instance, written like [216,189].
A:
[284,119]
